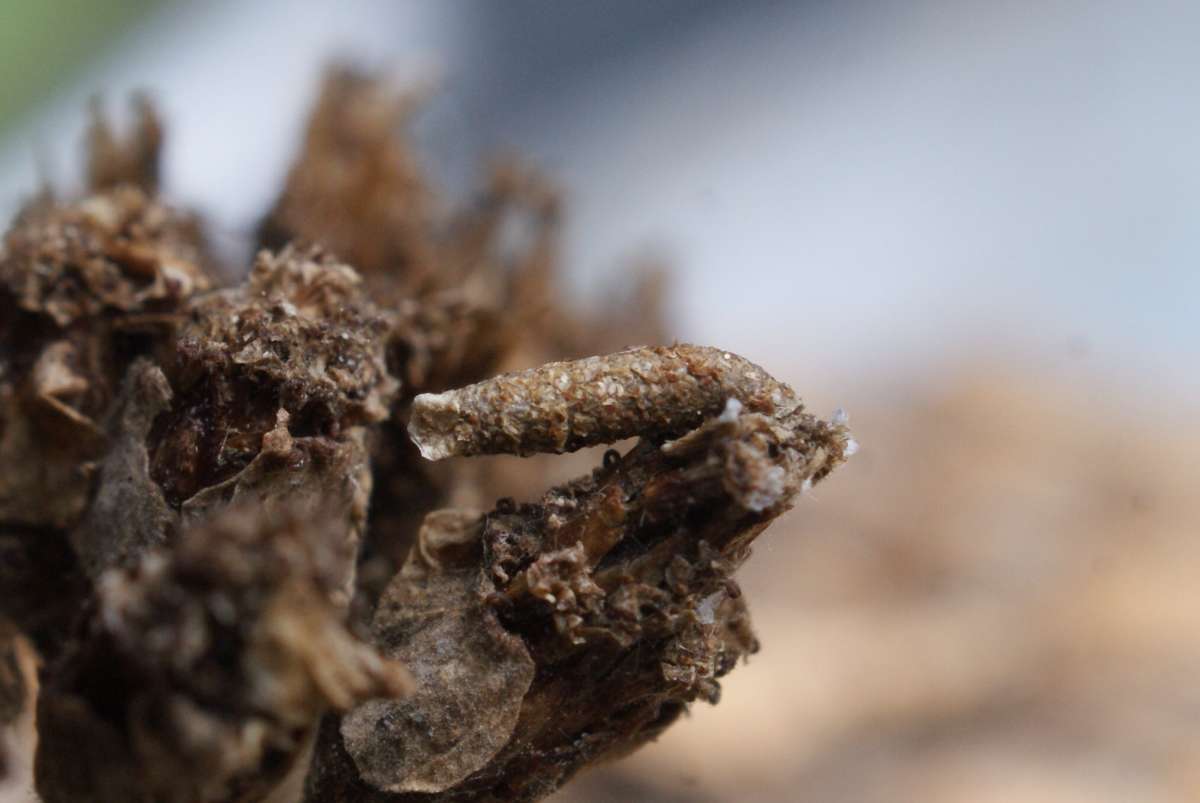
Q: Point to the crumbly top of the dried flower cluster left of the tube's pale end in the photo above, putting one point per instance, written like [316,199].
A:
[298,338]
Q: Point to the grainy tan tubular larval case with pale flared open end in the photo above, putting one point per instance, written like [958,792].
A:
[651,392]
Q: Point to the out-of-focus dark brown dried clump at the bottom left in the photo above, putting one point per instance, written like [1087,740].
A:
[205,669]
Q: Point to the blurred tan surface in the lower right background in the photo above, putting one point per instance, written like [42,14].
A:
[998,600]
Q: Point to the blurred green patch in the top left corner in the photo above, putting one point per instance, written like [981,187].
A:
[44,43]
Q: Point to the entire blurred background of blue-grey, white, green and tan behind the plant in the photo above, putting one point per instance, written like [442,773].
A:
[970,224]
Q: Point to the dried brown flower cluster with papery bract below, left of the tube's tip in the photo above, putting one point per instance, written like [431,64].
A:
[275,382]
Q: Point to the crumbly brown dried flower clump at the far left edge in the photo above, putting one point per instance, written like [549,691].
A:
[85,289]
